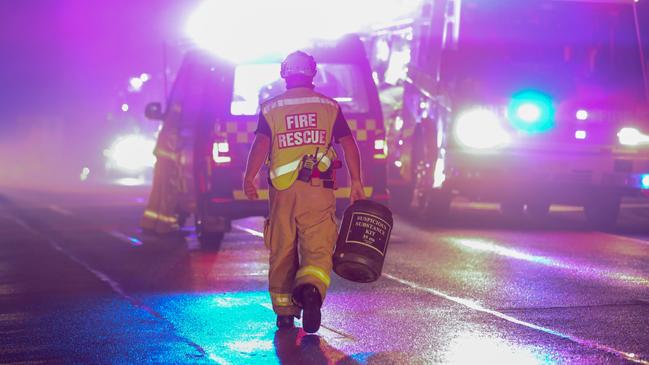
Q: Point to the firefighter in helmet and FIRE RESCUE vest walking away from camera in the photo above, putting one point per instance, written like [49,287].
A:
[295,134]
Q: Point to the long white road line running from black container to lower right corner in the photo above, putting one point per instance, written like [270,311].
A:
[478,307]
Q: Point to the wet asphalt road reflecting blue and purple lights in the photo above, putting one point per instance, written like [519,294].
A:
[80,284]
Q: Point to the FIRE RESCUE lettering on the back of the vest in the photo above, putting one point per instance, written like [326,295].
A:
[302,131]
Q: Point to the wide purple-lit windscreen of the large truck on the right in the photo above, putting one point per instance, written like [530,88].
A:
[559,45]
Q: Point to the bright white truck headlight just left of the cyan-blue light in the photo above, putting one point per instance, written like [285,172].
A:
[481,128]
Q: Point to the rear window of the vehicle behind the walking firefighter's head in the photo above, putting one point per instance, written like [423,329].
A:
[254,83]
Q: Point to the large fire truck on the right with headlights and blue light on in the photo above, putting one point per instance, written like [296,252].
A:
[523,103]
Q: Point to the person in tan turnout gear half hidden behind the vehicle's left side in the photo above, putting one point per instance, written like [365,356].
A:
[160,215]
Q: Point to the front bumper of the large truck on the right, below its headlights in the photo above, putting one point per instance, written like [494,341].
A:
[560,177]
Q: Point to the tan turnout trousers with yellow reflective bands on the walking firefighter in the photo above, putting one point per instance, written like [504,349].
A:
[301,234]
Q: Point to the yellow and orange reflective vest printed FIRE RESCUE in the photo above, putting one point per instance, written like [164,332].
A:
[301,121]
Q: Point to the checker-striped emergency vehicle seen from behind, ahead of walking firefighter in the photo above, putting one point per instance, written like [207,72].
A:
[218,102]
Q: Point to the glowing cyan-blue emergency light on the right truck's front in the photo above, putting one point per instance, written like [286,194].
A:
[531,111]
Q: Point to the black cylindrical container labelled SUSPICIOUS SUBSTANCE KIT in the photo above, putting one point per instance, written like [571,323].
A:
[363,241]
